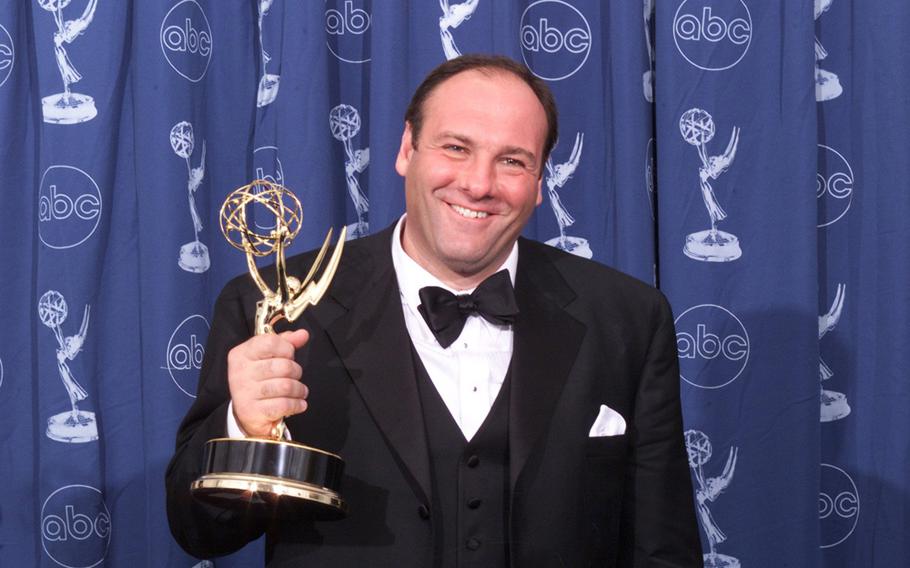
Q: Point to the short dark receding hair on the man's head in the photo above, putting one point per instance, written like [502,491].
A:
[483,62]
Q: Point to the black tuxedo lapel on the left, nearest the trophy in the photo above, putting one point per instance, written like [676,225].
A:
[373,344]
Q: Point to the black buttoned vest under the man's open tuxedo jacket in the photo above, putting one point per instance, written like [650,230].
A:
[470,481]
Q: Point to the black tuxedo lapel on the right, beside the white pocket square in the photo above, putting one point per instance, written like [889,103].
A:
[546,344]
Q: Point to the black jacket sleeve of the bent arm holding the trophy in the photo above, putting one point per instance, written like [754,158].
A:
[203,530]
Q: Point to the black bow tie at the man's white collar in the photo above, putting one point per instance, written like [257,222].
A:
[445,313]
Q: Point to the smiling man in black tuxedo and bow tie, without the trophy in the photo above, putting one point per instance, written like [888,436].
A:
[547,437]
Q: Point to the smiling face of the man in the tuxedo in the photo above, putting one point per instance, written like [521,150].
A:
[473,180]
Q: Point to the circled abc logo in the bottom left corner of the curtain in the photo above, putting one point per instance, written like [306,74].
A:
[75,526]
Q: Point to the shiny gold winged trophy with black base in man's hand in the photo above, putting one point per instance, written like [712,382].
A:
[281,475]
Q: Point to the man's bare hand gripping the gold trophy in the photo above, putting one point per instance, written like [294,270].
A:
[265,382]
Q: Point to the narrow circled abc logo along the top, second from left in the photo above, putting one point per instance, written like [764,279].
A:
[186,40]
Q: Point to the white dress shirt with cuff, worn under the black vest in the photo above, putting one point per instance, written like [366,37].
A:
[470,372]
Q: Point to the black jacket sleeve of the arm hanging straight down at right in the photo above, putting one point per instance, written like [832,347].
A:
[658,519]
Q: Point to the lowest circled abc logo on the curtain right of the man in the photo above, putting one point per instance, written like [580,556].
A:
[838,505]
